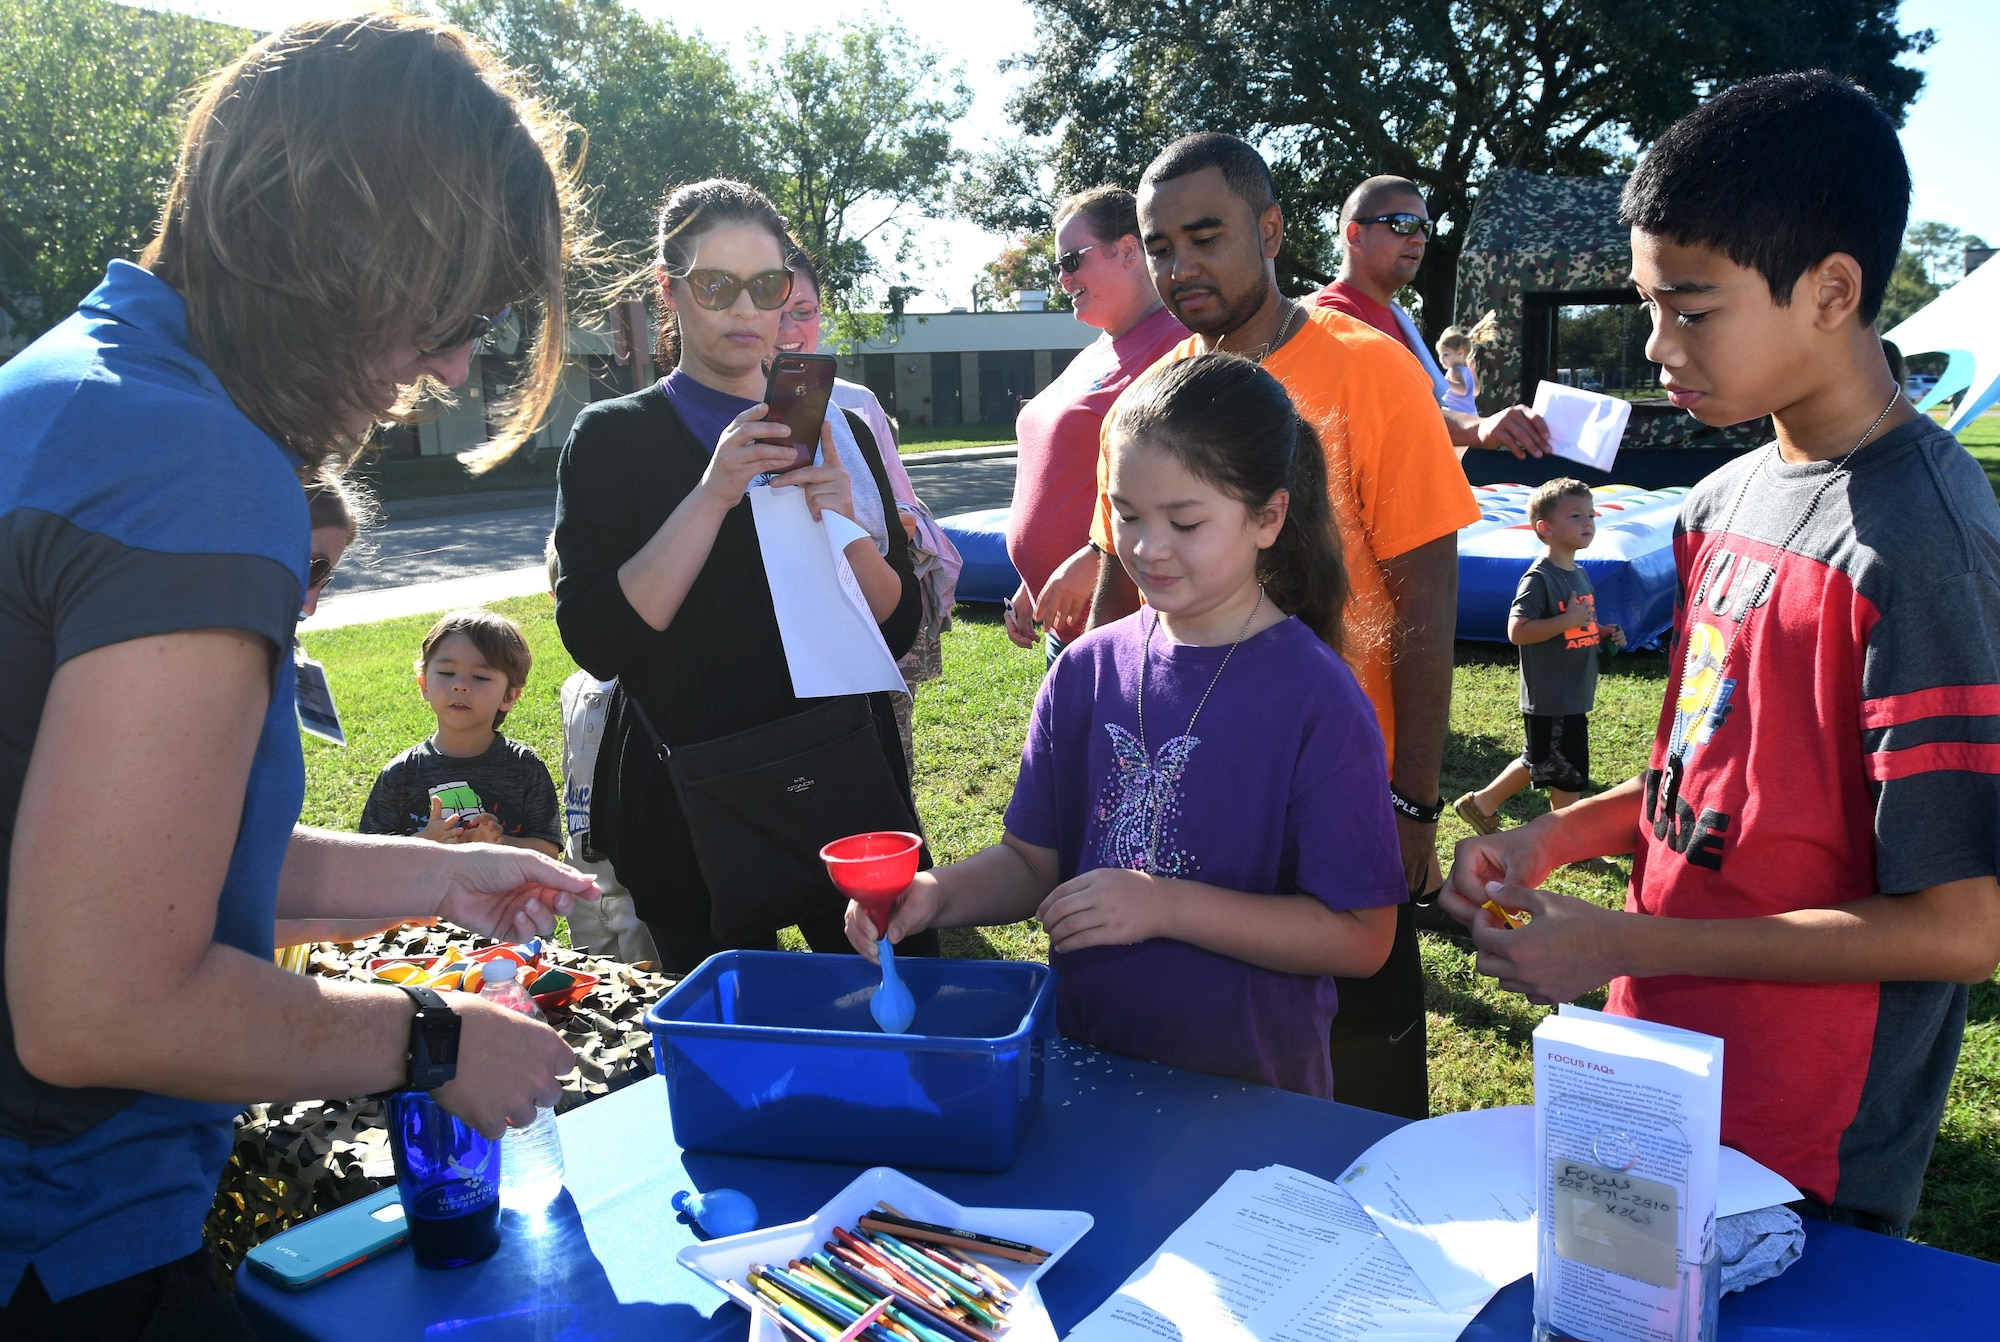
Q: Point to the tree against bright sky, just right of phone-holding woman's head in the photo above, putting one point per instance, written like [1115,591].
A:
[855,137]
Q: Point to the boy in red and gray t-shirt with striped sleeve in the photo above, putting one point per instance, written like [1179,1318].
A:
[1817,833]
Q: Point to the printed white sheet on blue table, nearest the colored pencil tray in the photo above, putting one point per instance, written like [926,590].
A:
[1275,1257]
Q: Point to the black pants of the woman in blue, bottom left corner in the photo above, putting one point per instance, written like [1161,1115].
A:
[161,1305]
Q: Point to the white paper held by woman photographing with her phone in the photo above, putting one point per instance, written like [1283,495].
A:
[831,641]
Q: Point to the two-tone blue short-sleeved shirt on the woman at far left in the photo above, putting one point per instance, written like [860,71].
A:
[135,501]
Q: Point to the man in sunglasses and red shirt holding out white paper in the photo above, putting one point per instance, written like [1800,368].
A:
[1383,233]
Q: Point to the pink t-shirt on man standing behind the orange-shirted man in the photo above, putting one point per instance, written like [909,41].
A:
[1057,477]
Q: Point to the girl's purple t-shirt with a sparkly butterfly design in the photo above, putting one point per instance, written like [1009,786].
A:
[1281,789]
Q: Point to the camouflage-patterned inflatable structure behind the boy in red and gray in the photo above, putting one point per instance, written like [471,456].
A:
[1541,235]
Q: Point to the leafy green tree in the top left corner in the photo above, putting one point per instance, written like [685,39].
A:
[91,111]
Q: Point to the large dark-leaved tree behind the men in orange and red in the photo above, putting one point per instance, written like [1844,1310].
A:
[1437,91]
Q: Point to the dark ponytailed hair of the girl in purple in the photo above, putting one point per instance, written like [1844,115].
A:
[1231,423]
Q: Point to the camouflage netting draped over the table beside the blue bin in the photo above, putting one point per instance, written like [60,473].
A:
[297,1161]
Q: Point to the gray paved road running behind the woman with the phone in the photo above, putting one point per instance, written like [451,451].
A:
[483,543]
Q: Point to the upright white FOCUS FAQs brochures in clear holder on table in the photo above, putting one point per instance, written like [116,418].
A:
[1629,1123]
